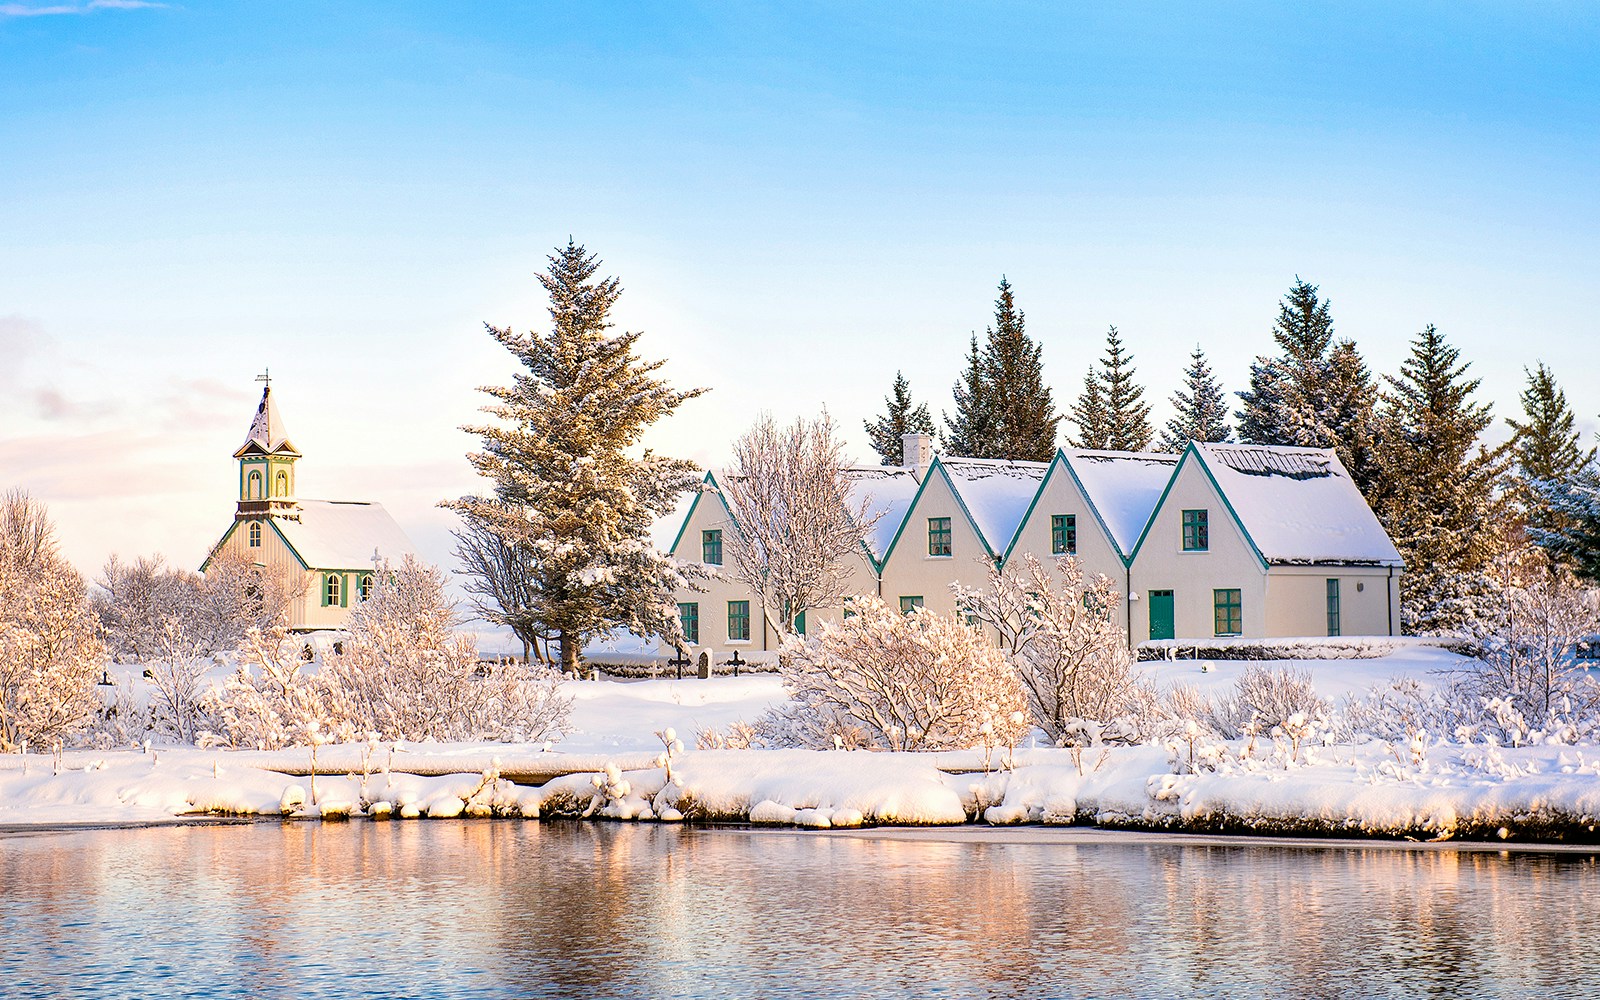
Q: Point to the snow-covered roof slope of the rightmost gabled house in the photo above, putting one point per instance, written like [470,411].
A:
[1298,505]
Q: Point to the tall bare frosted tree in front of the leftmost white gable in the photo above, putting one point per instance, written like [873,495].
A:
[798,538]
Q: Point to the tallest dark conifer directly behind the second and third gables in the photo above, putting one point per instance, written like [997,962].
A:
[1025,414]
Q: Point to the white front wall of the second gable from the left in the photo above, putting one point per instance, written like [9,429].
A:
[911,572]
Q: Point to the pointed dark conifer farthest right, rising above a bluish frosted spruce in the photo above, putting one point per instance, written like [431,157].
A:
[1545,450]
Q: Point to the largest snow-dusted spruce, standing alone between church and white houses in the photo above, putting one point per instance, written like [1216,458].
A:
[570,494]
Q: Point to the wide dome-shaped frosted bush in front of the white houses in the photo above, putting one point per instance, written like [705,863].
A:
[900,682]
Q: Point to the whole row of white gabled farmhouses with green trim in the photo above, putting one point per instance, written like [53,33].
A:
[1217,542]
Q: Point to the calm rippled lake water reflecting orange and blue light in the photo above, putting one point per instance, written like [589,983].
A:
[567,910]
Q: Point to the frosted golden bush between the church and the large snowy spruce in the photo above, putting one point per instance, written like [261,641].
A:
[406,674]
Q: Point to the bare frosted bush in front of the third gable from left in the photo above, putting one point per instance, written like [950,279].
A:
[1068,650]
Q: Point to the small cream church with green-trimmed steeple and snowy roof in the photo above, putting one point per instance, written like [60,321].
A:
[324,550]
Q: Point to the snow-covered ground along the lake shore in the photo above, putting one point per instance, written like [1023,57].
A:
[1375,788]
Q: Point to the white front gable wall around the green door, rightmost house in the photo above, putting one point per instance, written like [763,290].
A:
[1230,562]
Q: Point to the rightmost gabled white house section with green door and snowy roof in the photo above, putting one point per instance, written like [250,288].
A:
[1263,542]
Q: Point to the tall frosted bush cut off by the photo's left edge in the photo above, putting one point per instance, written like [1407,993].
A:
[50,655]
